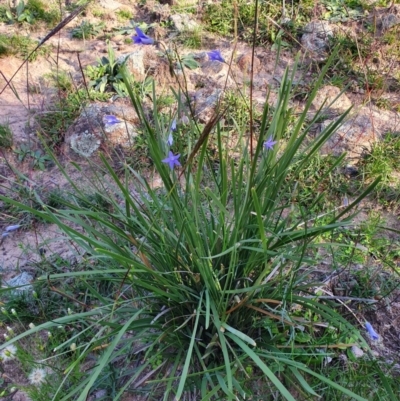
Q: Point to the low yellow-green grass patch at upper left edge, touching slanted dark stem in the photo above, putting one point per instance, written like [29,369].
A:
[21,46]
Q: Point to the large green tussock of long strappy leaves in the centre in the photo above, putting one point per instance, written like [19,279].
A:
[210,272]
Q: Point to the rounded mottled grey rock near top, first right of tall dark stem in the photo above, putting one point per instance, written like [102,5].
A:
[316,37]
